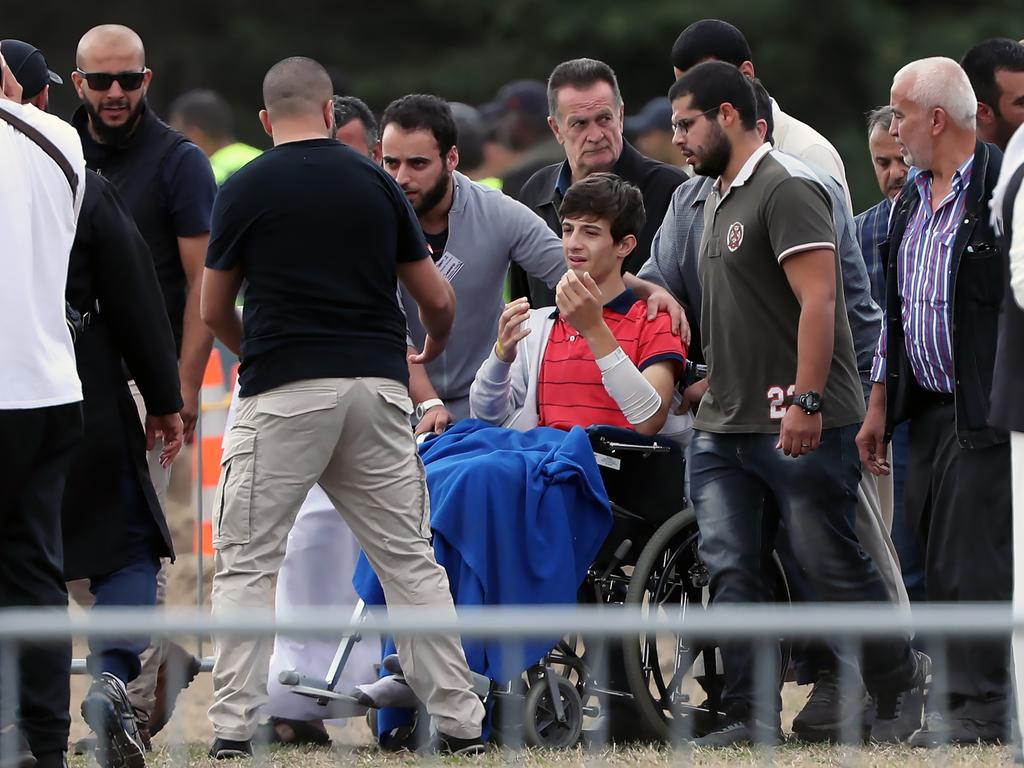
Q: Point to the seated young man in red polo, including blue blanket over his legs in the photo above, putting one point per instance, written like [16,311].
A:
[594,360]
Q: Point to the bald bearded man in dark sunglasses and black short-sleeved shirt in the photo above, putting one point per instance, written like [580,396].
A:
[167,184]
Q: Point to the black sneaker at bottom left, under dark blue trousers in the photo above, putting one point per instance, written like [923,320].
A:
[110,715]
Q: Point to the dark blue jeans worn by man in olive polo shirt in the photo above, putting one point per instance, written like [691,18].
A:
[817,496]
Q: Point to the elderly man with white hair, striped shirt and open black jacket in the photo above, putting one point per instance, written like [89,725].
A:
[947,279]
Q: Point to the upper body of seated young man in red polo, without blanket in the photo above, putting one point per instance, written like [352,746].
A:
[595,359]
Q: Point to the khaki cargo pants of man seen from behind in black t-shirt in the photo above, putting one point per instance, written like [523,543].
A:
[354,438]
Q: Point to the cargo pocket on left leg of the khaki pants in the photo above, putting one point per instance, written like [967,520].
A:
[233,503]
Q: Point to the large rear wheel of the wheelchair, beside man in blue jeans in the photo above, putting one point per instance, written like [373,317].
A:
[670,579]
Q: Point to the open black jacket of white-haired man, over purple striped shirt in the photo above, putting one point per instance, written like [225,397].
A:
[978,283]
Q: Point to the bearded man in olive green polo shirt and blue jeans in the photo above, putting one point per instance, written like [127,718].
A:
[784,401]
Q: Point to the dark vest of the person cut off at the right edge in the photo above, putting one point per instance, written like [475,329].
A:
[1008,381]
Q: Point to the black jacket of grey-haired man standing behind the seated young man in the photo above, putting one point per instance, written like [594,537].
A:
[657,183]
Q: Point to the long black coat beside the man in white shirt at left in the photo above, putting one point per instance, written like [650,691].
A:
[111,268]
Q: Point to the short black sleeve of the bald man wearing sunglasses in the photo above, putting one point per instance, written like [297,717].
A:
[190,188]
